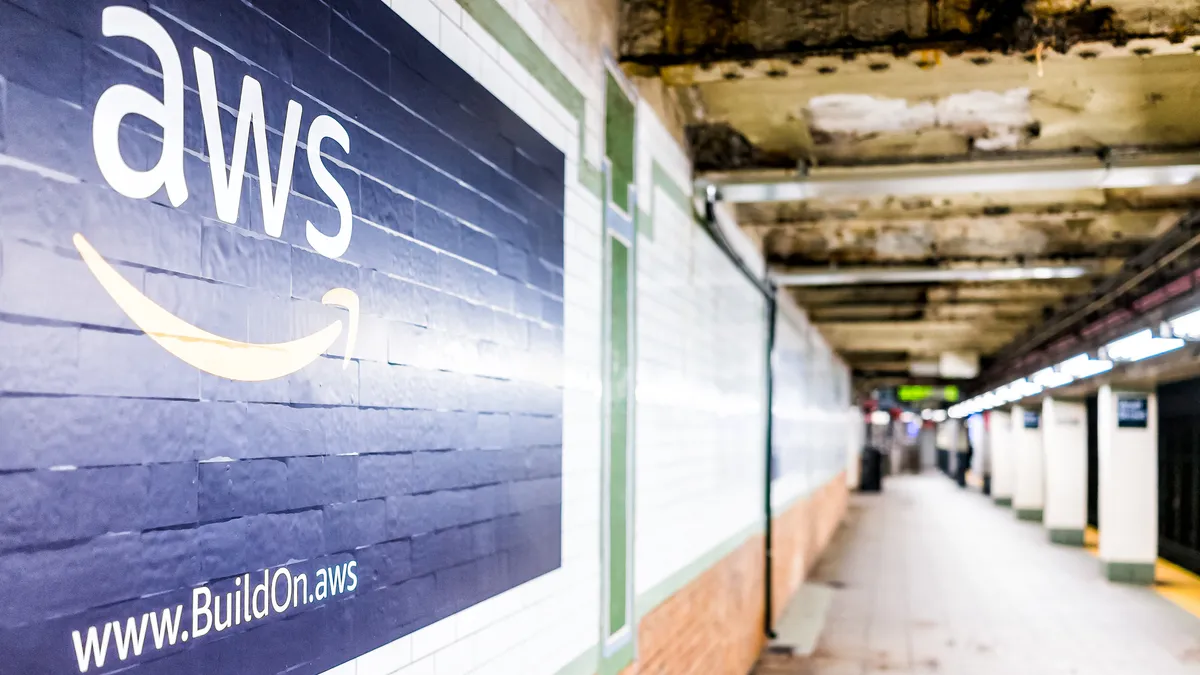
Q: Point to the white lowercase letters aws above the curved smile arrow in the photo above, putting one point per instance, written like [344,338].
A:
[124,100]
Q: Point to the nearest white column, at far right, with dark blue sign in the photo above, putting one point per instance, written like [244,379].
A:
[1127,428]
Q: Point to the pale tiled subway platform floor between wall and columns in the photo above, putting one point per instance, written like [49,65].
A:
[931,578]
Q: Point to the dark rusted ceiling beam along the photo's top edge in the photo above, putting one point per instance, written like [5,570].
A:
[658,34]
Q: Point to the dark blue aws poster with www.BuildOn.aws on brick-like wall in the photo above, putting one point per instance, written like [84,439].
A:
[281,336]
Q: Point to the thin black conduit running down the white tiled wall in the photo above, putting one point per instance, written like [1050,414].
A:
[767,290]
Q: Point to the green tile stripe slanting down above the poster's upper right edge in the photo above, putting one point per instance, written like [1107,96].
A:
[501,26]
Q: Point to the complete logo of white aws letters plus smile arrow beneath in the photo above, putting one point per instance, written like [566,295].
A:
[217,355]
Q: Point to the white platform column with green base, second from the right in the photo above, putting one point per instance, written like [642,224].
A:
[1065,439]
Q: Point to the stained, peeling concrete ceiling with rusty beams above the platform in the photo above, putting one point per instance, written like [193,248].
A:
[800,86]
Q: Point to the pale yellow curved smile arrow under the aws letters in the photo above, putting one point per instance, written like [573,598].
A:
[247,362]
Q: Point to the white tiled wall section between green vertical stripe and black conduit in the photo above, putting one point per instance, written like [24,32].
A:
[701,373]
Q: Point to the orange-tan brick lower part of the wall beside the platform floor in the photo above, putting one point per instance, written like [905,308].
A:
[713,626]
